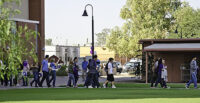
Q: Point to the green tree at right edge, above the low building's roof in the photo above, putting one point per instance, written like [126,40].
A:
[187,22]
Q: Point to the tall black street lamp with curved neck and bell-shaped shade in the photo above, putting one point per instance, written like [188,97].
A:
[85,14]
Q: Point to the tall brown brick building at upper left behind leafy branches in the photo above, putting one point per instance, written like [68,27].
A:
[32,14]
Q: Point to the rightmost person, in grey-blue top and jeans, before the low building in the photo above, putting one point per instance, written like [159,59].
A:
[193,73]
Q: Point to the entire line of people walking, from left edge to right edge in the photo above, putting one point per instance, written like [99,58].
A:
[90,73]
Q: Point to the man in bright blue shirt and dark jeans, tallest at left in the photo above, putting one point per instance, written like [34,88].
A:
[45,71]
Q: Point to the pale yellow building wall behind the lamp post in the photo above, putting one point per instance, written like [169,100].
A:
[103,54]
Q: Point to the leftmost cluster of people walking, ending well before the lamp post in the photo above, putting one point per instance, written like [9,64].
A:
[39,71]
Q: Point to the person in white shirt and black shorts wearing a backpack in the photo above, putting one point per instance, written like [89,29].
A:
[110,76]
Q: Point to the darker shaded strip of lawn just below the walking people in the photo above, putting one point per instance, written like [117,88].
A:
[67,94]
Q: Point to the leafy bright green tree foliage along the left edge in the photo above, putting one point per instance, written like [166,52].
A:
[14,42]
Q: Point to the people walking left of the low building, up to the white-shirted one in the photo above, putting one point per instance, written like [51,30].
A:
[90,73]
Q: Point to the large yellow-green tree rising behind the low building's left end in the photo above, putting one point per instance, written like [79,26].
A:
[147,19]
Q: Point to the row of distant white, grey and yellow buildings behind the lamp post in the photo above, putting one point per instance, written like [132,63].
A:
[69,52]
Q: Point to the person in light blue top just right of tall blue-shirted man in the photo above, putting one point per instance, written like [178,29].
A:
[54,68]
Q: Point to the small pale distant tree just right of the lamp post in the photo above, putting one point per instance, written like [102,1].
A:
[101,37]
